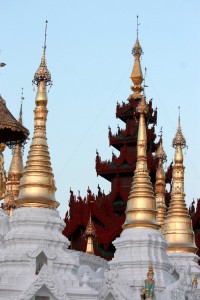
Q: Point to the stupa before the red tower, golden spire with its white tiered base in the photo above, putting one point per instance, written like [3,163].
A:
[141,241]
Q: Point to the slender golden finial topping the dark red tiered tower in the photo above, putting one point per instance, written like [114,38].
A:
[136,75]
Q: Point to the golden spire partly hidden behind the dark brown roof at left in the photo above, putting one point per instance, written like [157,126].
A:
[15,173]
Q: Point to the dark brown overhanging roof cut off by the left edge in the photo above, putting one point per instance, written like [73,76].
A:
[12,132]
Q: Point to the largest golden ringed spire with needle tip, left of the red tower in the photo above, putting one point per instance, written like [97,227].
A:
[37,186]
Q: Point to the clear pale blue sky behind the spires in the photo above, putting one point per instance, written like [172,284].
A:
[89,47]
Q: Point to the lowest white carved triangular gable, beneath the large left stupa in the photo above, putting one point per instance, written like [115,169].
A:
[44,278]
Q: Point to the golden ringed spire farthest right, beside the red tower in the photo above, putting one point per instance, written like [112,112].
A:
[178,230]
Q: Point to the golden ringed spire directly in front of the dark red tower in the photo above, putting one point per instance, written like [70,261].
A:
[141,205]
